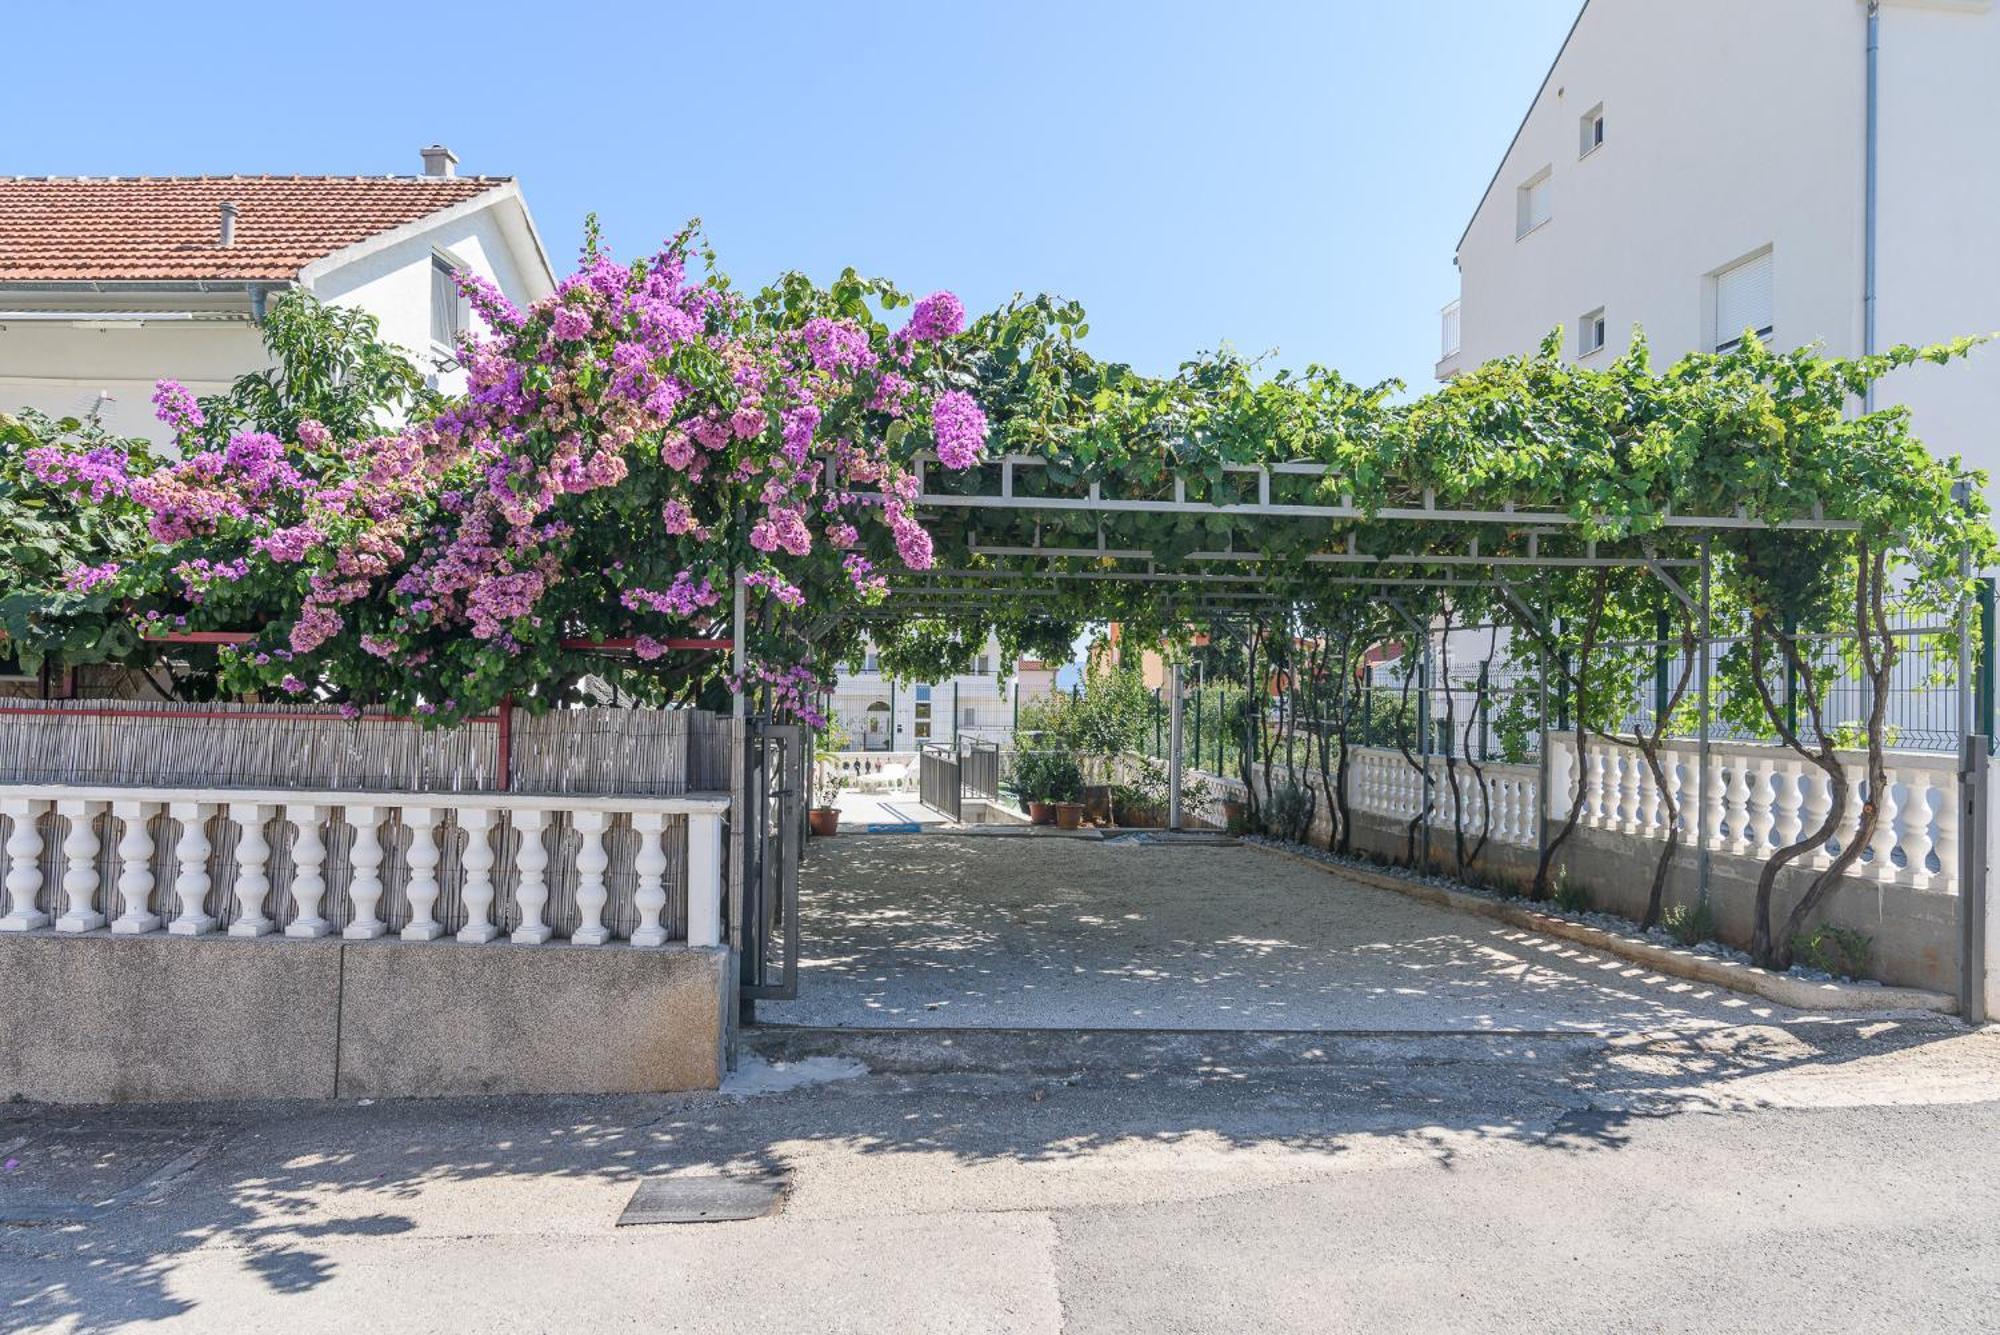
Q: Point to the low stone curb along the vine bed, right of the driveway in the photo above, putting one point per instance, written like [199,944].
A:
[1781,988]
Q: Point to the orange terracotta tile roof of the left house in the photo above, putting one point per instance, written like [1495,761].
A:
[169,227]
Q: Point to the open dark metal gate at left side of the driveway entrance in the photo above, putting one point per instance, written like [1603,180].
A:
[777,772]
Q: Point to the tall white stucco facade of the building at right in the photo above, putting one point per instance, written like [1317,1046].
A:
[1739,129]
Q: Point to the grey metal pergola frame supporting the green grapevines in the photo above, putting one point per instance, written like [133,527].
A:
[1207,595]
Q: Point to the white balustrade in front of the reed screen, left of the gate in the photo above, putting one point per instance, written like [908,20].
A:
[421,866]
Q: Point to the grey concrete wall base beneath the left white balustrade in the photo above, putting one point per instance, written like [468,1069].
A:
[119,1020]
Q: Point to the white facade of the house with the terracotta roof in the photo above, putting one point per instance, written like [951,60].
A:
[79,349]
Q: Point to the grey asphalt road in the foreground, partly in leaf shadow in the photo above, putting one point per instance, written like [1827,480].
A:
[1777,1178]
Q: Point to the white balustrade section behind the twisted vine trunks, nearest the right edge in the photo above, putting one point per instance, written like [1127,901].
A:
[1763,798]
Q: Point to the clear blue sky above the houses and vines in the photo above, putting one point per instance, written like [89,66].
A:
[1275,175]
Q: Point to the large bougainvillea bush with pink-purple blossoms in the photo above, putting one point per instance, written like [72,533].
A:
[623,451]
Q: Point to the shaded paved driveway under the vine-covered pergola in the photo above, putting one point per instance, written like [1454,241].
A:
[1063,934]
